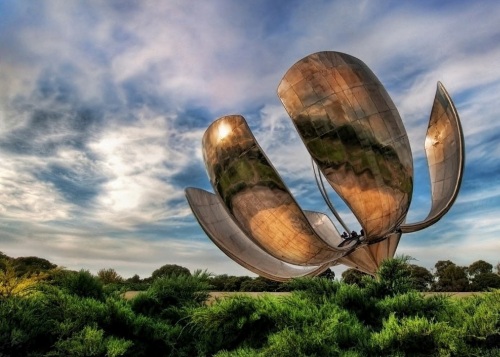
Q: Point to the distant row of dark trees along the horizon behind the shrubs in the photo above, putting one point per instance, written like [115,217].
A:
[446,276]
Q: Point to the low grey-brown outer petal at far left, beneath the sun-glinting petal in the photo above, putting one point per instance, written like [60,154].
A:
[227,235]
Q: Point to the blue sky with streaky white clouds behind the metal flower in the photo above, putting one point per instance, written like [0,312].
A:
[103,105]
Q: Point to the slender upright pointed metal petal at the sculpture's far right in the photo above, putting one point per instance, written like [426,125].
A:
[444,147]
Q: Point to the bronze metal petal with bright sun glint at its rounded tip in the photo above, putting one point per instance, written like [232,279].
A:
[257,198]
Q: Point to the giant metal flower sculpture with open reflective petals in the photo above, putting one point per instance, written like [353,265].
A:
[357,141]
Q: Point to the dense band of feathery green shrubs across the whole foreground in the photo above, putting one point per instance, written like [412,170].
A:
[54,312]
